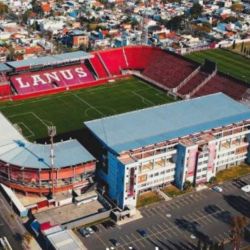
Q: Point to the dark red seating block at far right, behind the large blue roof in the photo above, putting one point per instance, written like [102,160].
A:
[223,84]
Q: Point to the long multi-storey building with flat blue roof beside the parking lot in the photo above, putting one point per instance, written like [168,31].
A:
[186,140]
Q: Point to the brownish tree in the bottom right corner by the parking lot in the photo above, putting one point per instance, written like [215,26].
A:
[238,225]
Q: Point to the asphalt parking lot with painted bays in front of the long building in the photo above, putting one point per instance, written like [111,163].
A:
[170,224]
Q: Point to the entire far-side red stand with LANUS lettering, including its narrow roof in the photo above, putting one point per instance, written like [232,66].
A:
[166,70]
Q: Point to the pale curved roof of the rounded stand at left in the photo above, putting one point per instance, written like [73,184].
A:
[16,150]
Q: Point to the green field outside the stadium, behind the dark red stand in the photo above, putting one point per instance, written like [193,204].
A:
[228,62]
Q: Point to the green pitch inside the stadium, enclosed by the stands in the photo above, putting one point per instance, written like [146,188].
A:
[68,110]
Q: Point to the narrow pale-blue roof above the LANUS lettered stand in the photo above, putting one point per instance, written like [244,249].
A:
[49,60]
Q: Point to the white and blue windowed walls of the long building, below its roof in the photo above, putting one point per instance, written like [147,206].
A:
[129,175]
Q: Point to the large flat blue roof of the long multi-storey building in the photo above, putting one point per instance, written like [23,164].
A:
[165,122]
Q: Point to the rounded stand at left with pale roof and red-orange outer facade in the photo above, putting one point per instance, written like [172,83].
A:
[26,166]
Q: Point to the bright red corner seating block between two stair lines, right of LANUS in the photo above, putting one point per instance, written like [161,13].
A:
[114,60]
